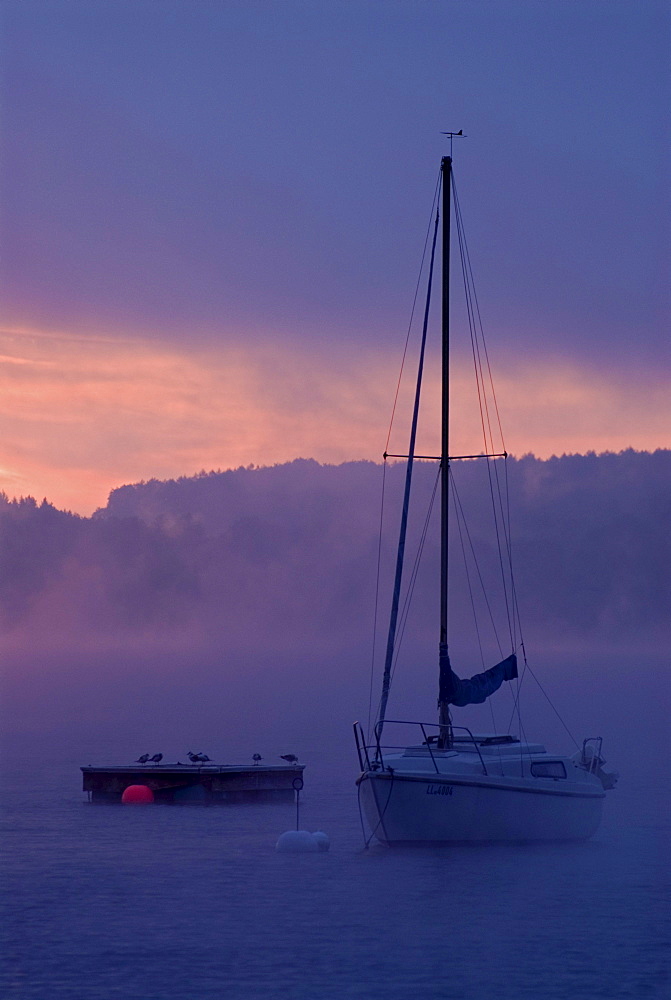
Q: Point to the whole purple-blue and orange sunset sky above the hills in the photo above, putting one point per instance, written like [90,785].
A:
[213,215]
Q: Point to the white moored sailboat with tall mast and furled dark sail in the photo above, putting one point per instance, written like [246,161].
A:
[448,784]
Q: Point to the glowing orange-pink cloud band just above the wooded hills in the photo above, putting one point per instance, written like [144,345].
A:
[81,415]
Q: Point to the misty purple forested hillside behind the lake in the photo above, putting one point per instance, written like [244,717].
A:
[289,554]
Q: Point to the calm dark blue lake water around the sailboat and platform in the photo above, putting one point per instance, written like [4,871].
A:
[194,903]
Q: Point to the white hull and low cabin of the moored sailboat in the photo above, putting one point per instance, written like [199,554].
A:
[451,805]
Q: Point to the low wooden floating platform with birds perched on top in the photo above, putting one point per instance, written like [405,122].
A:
[205,783]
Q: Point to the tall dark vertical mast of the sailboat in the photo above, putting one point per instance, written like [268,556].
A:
[443,705]
